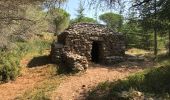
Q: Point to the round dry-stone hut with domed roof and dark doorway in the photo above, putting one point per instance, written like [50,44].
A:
[84,42]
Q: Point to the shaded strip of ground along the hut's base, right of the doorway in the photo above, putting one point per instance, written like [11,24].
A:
[130,62]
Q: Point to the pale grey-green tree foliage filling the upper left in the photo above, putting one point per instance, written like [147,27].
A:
[22,27]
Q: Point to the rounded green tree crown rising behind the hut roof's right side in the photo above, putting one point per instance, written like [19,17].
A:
[112,20]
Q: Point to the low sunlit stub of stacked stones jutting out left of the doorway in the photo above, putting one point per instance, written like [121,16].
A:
[75,62]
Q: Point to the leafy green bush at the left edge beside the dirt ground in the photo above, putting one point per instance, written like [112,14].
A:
[9,65]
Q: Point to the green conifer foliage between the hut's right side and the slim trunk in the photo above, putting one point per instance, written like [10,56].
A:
[136,36]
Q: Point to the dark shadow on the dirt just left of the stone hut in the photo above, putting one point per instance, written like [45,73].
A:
[39,61]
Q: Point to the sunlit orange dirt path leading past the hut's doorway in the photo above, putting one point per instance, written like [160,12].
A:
[76,87]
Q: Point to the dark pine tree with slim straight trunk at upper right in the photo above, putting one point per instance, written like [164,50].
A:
[154,12]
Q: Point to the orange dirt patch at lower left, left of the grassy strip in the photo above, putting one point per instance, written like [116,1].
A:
[28,79]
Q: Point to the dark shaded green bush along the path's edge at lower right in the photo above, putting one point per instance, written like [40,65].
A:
[154,81]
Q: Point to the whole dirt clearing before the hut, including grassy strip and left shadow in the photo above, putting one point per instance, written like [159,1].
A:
[39,80]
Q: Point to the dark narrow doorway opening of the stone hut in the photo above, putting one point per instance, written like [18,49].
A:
[95,52]
